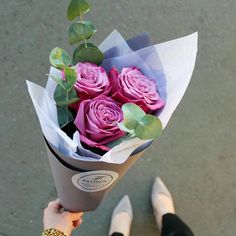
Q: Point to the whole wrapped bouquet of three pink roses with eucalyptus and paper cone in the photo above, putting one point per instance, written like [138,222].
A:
[105,105]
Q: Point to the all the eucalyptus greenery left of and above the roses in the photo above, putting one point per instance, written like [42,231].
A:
[79,33]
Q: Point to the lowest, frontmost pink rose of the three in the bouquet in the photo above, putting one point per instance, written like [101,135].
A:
[97,120]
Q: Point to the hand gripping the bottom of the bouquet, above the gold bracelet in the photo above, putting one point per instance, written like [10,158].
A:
[65,221]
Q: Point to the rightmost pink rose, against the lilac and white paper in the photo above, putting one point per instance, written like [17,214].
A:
[134,87]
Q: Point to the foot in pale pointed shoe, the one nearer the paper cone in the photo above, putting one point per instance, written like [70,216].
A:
[122,217]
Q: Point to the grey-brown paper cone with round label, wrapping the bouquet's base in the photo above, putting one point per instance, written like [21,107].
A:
[83,187]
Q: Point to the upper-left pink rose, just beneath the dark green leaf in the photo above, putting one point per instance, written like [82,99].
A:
[92,81]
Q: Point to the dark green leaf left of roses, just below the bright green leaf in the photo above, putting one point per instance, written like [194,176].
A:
[63,97]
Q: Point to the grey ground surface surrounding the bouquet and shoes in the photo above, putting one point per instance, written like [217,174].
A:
[196,154]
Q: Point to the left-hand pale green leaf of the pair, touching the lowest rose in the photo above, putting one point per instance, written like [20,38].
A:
[132,115]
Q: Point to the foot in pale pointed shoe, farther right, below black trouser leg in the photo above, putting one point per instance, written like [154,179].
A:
[162,201]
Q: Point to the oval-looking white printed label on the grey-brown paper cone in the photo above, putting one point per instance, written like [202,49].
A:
[94,181]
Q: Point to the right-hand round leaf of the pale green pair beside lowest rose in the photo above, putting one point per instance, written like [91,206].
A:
[150,127]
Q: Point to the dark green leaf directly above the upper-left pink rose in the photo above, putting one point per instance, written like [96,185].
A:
[87,54]
